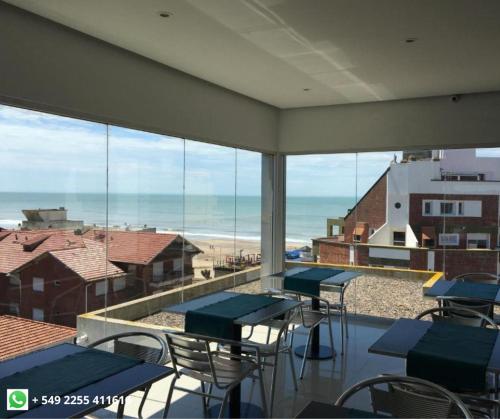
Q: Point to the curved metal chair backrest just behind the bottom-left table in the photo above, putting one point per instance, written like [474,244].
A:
[156,353]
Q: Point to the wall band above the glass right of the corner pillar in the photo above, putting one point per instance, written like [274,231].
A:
[393,125]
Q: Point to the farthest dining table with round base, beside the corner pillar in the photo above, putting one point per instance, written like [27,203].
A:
[336,282]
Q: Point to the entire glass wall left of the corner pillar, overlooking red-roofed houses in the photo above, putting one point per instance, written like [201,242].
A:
[93,215]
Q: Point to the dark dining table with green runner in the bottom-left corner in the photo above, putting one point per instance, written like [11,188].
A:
[68,380]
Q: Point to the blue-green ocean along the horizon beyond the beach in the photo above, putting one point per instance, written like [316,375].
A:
[204,216]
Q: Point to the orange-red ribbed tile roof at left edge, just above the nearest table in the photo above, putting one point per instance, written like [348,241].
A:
[19,336]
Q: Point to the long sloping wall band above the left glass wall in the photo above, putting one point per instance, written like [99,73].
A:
[48,67]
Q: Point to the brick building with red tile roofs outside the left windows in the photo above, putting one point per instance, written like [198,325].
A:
[54,275]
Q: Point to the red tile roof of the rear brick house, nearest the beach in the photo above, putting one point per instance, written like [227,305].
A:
[133,246]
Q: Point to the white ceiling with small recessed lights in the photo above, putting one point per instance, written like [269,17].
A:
[344,51]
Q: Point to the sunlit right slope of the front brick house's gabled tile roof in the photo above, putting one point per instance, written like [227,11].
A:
[88,262]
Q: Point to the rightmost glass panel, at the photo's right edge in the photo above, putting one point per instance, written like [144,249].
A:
[470,212]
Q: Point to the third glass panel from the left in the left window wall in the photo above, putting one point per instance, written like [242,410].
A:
[210,208]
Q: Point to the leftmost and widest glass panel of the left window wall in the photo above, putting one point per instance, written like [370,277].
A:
[53,185]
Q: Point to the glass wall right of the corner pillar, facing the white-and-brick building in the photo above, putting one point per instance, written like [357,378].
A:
[416,211]
